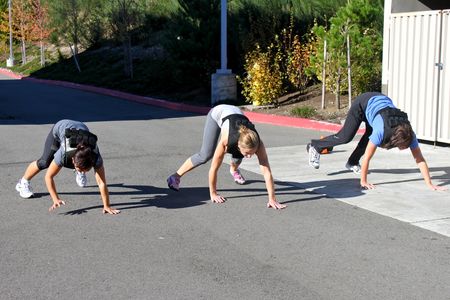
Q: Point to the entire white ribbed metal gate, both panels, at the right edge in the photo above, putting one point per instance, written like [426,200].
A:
[418,77]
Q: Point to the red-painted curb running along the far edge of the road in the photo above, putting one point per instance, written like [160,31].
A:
[254,116]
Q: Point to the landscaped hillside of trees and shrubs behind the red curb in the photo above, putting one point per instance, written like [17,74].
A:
[170,48]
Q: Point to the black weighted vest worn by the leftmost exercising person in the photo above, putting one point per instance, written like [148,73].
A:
[73,137]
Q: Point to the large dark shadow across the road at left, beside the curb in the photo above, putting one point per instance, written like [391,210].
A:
[25,102]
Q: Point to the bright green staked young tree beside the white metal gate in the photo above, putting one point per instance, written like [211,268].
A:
[361,21]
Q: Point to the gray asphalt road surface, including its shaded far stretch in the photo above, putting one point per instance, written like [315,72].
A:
[169,245]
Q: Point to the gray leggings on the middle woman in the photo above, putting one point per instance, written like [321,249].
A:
[211,135]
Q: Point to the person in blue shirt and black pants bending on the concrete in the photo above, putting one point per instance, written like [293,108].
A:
[386,127]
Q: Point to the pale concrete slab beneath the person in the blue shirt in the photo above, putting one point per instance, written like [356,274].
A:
[400,191]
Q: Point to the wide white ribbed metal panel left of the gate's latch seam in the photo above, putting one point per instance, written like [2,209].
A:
[413,52]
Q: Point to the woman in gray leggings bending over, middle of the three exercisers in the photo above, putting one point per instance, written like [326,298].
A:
[227,130]
